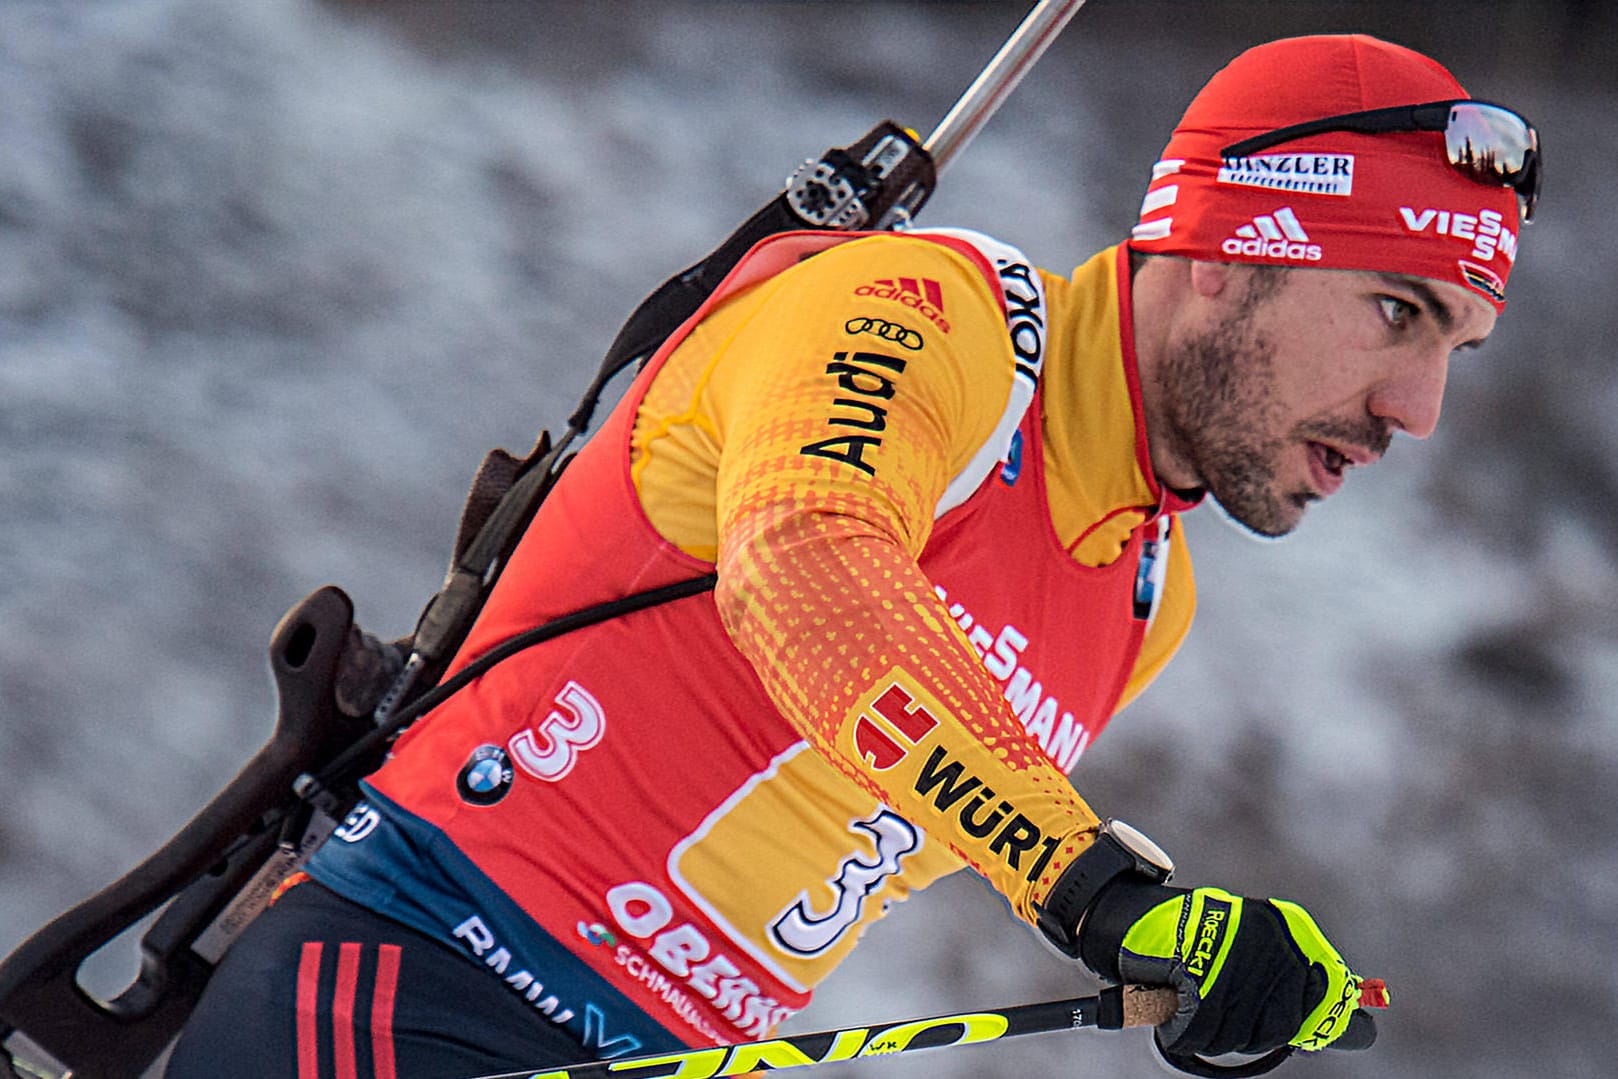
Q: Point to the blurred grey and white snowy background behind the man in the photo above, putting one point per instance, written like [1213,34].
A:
[276,274]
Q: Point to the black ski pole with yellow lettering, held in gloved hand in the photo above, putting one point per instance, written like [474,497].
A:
[1111,1010]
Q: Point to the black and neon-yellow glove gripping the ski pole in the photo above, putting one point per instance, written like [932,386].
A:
[1253,975]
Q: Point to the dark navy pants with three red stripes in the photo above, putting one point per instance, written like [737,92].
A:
[323,989]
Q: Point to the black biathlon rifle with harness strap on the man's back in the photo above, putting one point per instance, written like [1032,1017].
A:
[344,696]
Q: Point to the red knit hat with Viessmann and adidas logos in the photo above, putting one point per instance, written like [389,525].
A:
[1344,201]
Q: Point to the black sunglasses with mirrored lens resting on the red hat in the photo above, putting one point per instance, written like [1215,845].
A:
[1488,143]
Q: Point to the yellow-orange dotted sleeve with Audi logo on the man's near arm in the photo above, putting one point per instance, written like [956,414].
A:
[836,449]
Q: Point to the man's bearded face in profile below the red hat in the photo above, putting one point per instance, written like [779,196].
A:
[1292,378]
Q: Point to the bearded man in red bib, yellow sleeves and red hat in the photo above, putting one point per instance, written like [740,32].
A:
[942,496]
